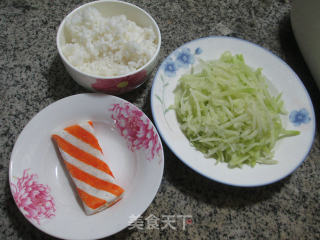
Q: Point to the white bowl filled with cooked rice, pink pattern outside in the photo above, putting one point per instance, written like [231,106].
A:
[109,46]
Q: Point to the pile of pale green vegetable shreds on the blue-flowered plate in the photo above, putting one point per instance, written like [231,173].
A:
[226,112]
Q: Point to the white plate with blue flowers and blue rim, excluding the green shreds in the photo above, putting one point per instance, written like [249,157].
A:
[290,152]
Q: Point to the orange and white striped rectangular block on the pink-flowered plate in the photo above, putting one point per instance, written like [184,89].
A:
[83,158]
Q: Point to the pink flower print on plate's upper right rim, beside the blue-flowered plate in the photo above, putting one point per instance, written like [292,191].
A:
[136,128]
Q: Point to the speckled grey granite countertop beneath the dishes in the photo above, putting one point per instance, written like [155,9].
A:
[32,76]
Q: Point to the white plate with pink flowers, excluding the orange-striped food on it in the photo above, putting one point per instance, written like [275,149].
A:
[40,185]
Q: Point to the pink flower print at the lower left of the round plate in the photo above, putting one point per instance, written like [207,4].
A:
[32,198]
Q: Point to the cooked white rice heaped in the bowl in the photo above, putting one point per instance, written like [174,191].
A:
[106,46]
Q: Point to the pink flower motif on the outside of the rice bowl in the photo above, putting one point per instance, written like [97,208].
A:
[120,85]
